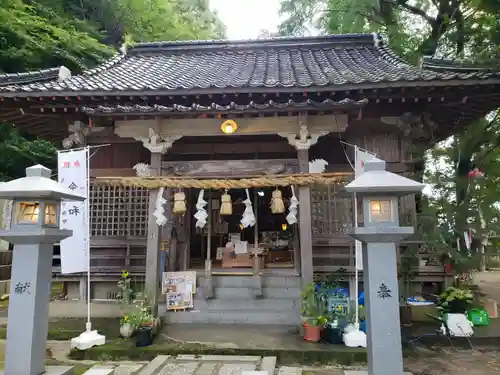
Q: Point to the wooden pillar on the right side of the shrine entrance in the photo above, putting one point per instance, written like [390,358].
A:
[305,228]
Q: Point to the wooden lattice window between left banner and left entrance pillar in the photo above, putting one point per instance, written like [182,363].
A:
[118,211]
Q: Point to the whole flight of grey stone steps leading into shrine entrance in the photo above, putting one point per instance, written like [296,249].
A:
[234,303]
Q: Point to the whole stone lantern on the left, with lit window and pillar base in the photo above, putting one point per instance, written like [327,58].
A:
[33,230]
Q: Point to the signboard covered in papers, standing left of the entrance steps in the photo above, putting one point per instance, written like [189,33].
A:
[179,288]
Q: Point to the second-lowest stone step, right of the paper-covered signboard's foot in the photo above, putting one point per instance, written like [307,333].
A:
[266,304]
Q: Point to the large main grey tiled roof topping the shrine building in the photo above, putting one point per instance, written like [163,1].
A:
[334,61]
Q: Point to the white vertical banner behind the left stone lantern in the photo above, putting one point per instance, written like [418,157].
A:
[73,174]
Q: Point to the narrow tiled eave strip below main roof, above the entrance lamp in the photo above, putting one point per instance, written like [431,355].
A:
[346,104]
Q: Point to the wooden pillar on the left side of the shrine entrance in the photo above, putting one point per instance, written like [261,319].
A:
[153,255]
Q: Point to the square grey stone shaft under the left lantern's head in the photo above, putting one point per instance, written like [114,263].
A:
[29,309]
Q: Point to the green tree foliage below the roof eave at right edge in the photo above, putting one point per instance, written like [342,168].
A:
[459,202]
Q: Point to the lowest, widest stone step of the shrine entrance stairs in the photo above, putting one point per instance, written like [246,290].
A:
[285,317]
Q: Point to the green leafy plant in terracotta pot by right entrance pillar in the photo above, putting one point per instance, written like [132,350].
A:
[312,313]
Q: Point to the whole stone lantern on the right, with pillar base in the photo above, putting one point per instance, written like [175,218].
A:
[379,191]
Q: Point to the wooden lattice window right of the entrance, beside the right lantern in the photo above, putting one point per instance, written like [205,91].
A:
[331,210]
